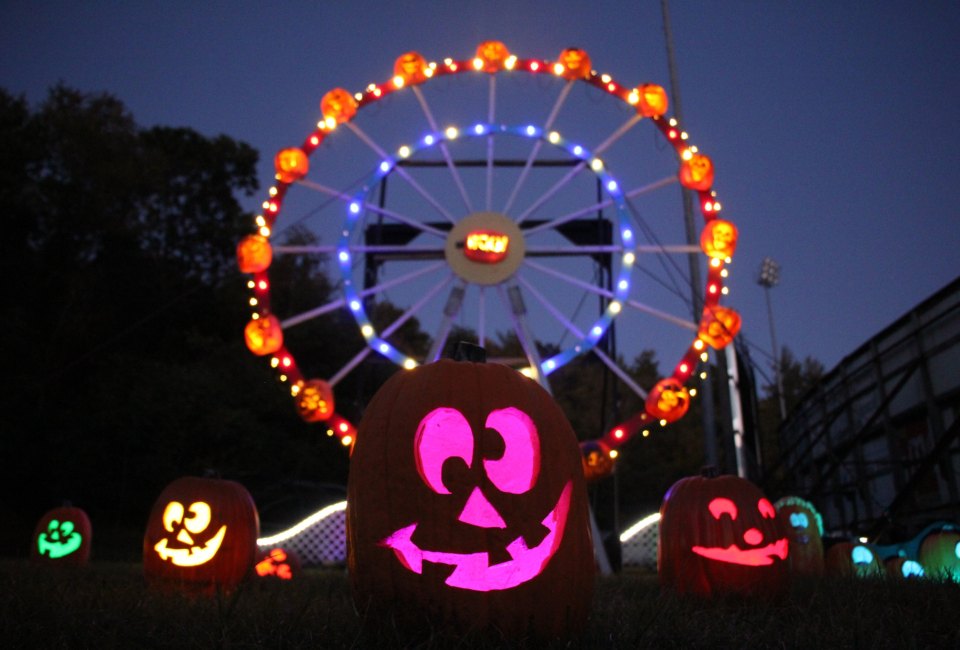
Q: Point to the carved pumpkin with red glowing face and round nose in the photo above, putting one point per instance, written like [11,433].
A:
[719,536]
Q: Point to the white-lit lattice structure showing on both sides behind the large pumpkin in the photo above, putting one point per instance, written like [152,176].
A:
[321,539]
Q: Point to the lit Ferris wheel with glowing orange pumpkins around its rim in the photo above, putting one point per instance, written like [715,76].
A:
[510,197]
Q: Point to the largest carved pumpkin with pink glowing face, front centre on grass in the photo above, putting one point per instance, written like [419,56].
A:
[388,491]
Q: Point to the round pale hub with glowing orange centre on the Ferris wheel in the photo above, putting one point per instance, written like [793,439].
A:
[485,248]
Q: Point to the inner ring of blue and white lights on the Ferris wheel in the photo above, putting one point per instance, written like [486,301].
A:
[354,210]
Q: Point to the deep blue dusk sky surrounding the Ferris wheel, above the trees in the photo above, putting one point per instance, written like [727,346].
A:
[833,125]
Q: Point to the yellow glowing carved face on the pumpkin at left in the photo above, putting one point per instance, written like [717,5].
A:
[190,543]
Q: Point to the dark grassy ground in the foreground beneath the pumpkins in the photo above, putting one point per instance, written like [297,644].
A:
[107,605]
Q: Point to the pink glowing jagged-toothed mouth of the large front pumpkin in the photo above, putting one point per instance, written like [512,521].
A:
[473,570]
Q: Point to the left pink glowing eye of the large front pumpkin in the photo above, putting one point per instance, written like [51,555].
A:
[443,434]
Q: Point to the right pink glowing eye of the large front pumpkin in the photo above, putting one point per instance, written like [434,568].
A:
[517,470]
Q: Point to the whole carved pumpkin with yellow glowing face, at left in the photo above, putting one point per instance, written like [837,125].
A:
[176,556]
